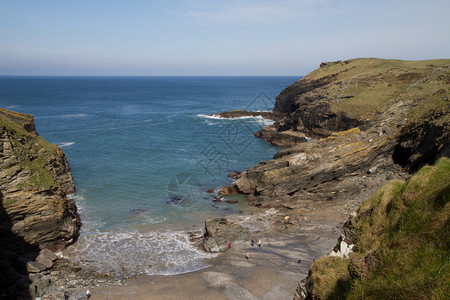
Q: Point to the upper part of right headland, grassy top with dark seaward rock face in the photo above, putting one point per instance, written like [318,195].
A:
[359,92]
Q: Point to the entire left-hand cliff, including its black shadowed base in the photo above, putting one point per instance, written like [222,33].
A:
[35,214]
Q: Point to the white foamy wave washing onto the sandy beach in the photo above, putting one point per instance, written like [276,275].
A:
[131,253]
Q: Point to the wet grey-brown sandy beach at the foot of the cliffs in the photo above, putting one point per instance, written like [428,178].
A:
[272,271]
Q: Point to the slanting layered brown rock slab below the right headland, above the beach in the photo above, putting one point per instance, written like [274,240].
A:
[316,170]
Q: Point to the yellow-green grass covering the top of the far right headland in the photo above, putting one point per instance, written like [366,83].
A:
[376,84]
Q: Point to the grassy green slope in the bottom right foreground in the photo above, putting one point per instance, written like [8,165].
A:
[407,225]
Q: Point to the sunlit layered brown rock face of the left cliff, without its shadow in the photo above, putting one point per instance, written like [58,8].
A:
[34,183]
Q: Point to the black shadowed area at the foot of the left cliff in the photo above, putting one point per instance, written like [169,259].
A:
[15,256]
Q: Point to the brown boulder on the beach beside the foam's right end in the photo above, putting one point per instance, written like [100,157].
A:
[220,232]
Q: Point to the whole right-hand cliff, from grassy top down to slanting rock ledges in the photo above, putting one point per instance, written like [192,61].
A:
[371,120]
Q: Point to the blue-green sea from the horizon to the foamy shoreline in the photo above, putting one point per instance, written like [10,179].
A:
[144,151]
